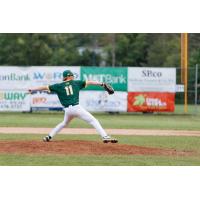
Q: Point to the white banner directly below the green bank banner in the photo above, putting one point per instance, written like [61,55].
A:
[100,101]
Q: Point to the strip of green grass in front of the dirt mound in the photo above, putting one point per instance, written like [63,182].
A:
[24,160]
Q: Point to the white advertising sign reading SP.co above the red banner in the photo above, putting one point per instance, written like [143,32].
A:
[151,79]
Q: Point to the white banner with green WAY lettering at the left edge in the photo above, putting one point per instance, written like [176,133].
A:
[14,101]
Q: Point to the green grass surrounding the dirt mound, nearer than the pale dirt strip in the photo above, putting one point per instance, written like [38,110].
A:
[179,143]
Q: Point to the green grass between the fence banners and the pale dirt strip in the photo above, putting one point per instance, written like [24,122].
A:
[129,121]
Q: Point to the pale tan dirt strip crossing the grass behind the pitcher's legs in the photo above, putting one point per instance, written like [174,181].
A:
[30,130]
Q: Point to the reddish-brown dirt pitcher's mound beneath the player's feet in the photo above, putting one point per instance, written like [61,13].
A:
[75,147]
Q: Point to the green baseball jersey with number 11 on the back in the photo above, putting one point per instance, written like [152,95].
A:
[68,91]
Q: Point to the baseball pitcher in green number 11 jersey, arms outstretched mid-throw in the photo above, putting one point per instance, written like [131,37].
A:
[68,94]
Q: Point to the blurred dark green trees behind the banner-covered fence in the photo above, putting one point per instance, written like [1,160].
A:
[96,49]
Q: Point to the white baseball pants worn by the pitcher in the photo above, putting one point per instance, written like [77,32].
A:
[80,112]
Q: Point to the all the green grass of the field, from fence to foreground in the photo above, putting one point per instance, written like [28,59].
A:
[130,121]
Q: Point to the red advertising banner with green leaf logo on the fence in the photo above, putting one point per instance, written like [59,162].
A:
[151,102]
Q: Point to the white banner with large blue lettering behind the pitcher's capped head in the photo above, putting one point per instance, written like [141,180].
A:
[50,75]
